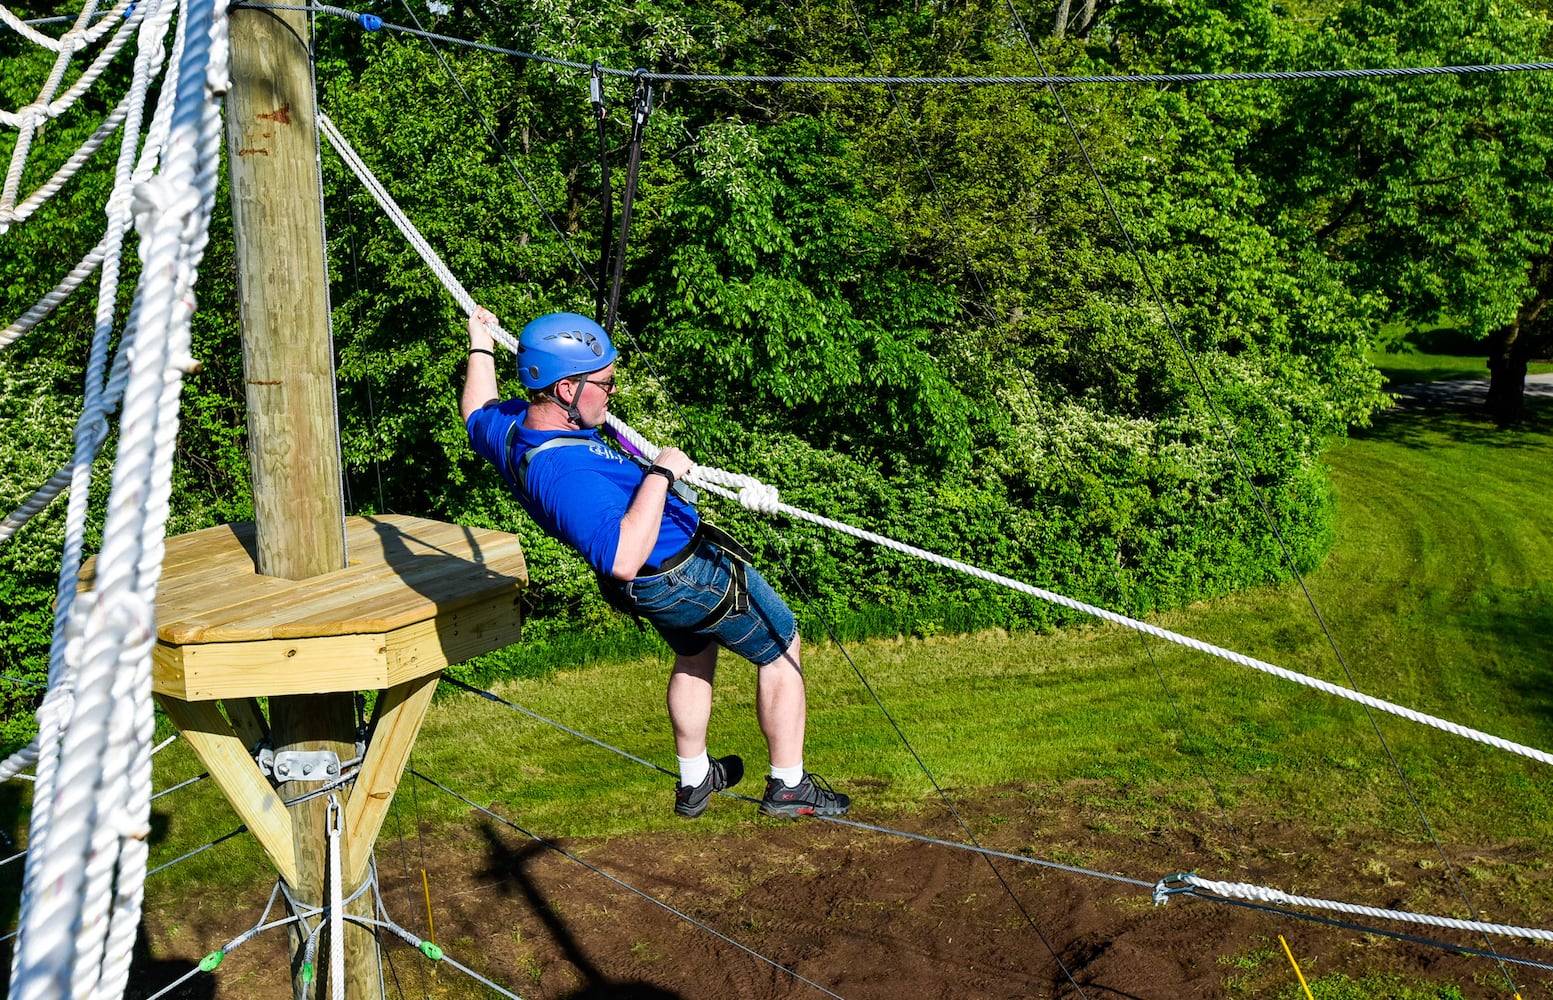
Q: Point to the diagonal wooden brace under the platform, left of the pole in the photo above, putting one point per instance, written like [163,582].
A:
[248,790]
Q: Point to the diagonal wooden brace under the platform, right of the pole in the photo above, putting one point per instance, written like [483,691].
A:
[397,723]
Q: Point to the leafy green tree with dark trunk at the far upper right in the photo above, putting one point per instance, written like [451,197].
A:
[1433,193]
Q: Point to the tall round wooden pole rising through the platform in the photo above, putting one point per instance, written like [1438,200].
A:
[288,358]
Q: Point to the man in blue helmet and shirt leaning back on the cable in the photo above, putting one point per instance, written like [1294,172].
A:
[653,555]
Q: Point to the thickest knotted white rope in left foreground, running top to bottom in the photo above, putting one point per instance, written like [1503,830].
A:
[103,757]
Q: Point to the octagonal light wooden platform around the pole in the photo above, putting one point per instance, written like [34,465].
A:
[419,595]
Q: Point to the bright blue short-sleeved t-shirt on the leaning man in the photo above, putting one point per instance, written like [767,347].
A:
[577,495]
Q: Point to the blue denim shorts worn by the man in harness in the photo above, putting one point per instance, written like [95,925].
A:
[679,600]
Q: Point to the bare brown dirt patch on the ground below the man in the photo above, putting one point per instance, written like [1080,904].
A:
[872,917]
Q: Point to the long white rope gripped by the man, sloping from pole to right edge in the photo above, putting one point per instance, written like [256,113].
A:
[765,499]
